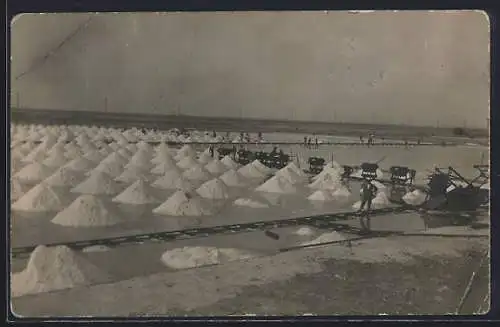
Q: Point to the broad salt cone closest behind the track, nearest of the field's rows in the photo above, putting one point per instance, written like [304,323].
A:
[88,211]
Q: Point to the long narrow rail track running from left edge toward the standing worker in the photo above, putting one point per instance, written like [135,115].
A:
[330,221]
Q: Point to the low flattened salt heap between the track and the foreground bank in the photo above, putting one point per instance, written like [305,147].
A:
[197,256]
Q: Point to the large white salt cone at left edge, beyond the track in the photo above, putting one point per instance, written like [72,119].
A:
[40,198]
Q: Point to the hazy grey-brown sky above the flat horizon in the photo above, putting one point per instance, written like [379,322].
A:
[407,67]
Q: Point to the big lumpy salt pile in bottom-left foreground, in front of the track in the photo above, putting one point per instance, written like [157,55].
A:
[56,268]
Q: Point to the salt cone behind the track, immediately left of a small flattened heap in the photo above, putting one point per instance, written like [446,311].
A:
[182,204]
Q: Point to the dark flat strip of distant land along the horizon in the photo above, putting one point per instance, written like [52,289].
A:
[224,124]
